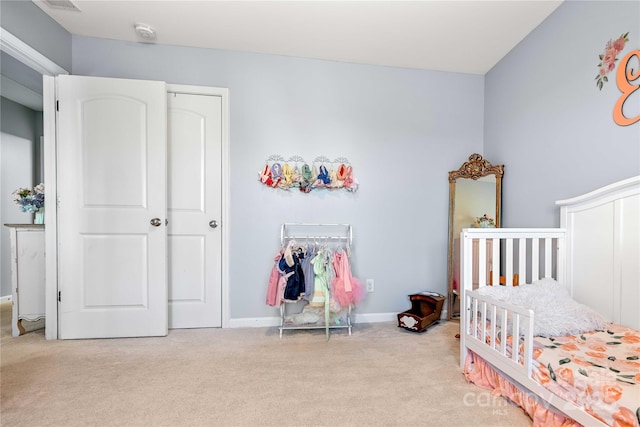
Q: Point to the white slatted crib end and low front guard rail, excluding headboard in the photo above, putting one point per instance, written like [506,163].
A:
[499,332]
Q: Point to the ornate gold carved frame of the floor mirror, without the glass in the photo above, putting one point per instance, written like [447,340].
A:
[475,168]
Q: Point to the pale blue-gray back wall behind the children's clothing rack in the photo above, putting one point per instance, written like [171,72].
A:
[402,130]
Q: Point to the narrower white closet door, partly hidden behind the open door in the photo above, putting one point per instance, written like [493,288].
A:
[195,199]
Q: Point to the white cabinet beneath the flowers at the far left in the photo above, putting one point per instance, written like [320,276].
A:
[27,274]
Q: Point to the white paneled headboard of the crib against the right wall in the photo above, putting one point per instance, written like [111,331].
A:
[603,250]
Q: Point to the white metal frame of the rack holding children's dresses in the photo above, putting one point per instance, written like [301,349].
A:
[329,234]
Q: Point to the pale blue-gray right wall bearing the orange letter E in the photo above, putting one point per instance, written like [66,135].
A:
[546,120]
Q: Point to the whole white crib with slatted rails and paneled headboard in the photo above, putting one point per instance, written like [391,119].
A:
[596,254]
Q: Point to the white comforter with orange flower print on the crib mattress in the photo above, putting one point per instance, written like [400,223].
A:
[599,371]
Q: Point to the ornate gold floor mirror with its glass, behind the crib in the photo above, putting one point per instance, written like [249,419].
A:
[475,197]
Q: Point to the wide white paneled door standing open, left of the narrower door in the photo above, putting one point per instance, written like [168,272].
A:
[112,246]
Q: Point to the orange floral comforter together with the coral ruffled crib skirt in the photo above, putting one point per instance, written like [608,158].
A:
[599,371]
